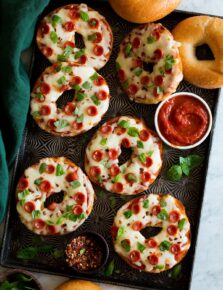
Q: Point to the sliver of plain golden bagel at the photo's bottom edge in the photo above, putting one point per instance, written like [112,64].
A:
[78,285]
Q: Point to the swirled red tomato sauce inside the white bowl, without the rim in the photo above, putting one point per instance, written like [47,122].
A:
[183,120]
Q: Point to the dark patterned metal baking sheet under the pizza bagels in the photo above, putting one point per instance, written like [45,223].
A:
[38,144]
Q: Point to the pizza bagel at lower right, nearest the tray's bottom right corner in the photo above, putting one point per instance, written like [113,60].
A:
[161,252]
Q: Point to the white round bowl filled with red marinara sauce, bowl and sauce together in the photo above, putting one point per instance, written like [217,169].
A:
[183,120]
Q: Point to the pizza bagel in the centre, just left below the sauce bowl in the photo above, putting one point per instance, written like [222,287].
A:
[135,175]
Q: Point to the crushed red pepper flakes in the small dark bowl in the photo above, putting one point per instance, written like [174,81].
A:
[84,253]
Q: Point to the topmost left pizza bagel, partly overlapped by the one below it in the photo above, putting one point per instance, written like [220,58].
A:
[56,36]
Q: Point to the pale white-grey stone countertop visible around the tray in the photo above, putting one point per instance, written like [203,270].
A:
[208,266]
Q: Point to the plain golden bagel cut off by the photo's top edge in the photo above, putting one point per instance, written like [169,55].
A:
[142,11]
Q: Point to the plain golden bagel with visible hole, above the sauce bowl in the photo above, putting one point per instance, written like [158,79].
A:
[195,31]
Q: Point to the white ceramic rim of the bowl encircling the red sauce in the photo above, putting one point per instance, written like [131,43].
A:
[192,145]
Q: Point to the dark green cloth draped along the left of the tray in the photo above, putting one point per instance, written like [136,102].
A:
[18,19]
